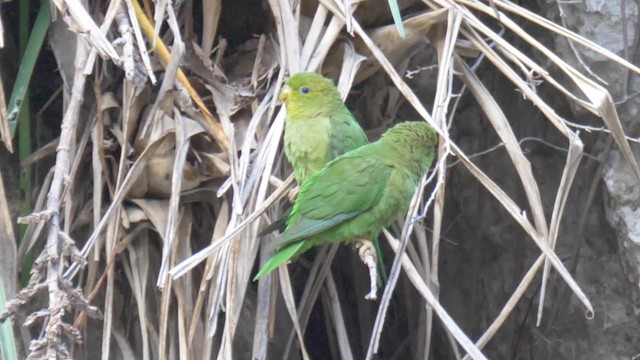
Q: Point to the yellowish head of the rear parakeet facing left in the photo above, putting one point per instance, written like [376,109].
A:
[310,94]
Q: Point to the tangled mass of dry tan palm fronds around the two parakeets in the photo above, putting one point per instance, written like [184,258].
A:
[185,171]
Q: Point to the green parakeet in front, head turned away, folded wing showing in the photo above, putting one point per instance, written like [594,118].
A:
[357,194]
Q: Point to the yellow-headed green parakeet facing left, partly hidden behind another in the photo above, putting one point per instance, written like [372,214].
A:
[318,126]
